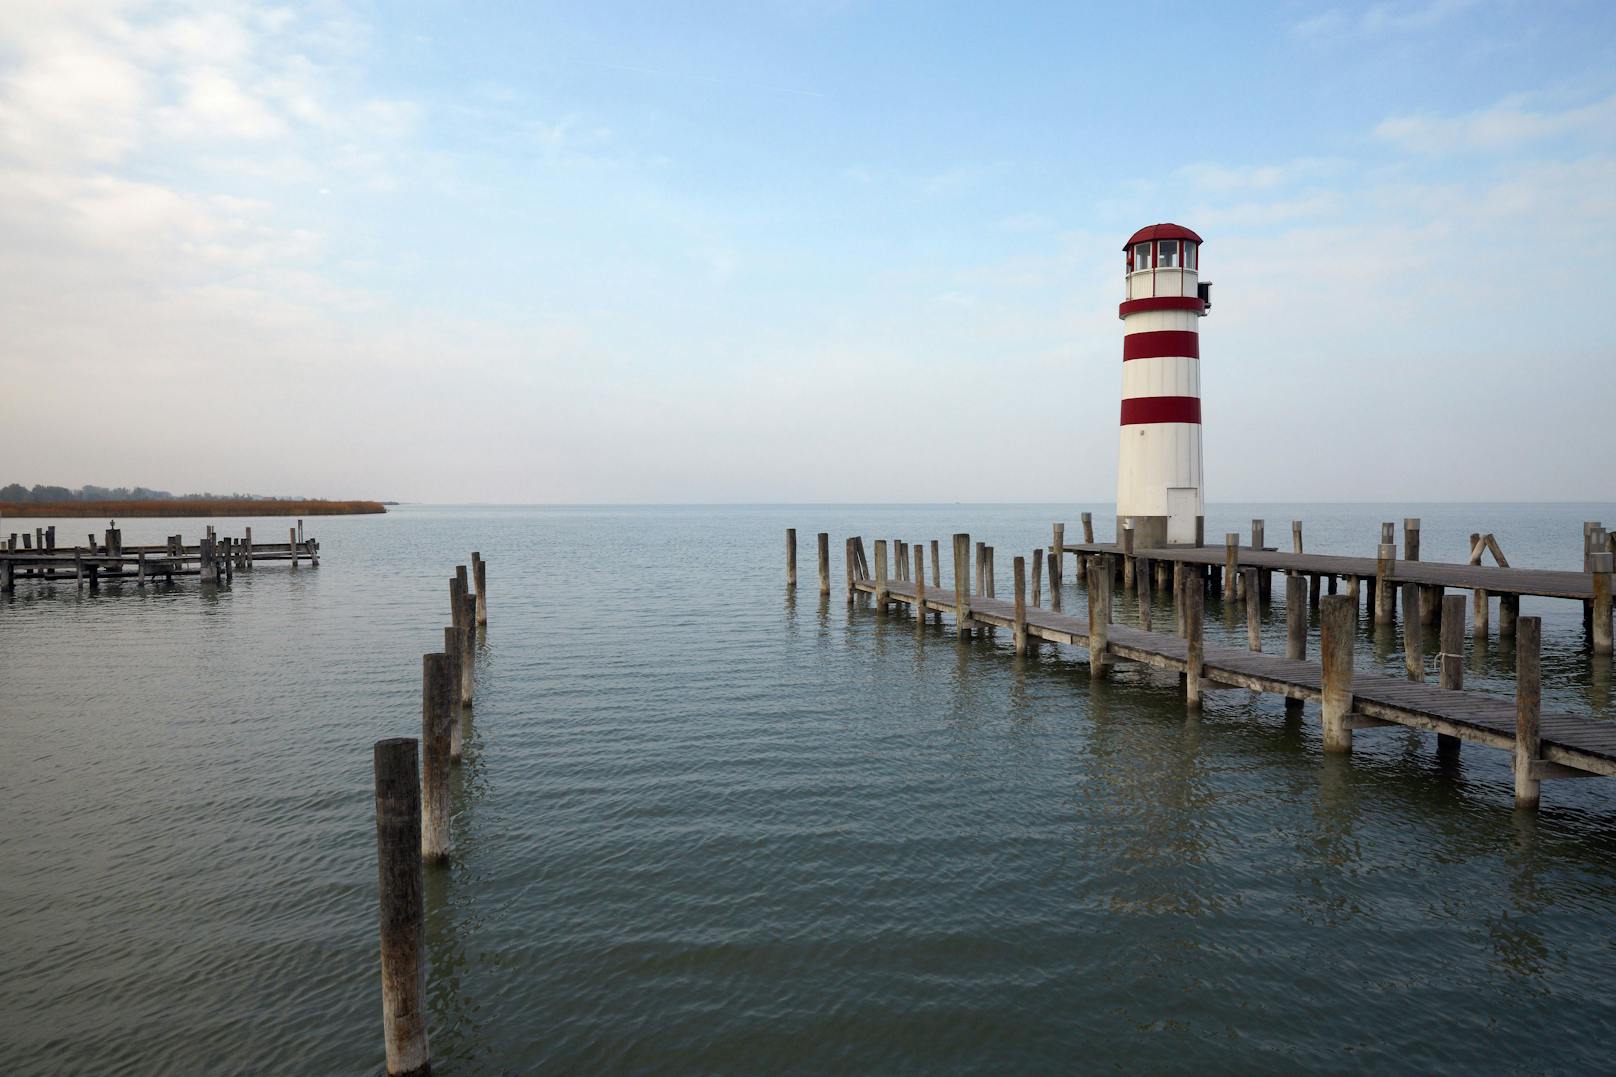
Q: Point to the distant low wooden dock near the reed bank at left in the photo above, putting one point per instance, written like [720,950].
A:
[214,559]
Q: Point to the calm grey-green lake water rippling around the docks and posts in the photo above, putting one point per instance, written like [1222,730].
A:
[707,827]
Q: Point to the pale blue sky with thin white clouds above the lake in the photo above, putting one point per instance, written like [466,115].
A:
[797,250]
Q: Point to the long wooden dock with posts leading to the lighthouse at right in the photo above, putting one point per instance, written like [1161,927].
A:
[1544,746]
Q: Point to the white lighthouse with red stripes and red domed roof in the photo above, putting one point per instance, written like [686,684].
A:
[1159,463]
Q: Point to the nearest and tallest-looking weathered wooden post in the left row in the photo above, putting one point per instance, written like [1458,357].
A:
[403,911]
